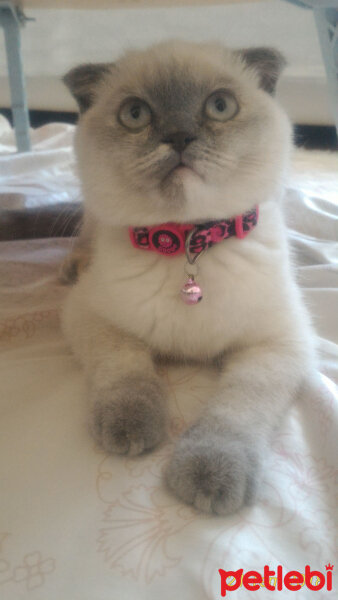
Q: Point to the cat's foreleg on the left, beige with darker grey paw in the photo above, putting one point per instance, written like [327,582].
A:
[127,397]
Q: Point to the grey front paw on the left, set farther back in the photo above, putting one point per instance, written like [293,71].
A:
[130,417]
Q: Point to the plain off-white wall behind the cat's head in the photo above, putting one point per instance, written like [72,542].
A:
[59,39]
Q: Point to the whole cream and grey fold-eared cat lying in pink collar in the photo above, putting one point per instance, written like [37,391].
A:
[188,135]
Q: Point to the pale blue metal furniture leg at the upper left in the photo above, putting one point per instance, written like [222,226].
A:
[11,24]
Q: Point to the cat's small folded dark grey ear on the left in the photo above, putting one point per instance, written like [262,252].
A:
[82,81]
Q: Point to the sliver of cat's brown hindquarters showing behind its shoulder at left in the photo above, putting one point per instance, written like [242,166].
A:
[79,257]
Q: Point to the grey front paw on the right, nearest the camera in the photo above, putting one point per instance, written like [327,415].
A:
[213,473]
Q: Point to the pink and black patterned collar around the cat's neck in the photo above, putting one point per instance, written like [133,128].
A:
[169,238]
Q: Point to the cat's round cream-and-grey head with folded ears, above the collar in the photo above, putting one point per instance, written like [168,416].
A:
[180,132]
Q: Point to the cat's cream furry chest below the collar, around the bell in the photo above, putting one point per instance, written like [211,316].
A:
[141,294]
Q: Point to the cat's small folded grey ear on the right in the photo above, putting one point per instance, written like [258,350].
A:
[268,64]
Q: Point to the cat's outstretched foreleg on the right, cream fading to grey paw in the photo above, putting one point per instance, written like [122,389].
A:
[217,462]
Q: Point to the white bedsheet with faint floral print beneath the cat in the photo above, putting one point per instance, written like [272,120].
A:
[76,524]
